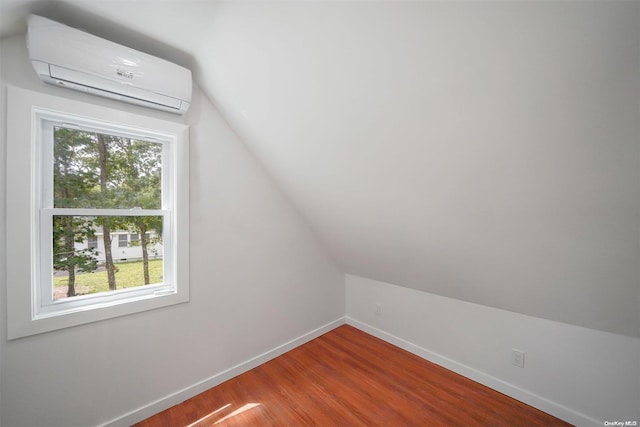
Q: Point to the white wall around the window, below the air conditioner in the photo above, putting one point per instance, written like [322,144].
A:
[258,280]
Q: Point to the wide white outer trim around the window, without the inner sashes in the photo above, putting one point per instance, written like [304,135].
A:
[24,170]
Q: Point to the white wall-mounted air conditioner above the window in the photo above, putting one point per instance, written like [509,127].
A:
[67,57]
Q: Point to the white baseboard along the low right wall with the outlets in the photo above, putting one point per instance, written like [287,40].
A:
[492,382]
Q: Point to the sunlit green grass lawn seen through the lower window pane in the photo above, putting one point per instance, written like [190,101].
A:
[128,274]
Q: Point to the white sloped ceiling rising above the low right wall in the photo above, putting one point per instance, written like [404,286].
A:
[485,151]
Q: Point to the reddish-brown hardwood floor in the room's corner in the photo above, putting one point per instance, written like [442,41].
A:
[349,378]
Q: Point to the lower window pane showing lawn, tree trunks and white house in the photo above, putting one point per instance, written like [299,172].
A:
[80,269]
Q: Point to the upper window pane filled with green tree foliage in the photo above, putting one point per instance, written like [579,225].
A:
[93,170]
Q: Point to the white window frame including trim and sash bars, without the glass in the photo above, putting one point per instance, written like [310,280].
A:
[30,212]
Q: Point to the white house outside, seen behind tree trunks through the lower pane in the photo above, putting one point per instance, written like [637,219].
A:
[125,246]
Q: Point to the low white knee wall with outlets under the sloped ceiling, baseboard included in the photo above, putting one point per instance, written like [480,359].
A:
[582,375]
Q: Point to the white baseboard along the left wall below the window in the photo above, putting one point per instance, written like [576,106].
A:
[173,399]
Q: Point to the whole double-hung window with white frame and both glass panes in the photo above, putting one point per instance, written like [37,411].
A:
[94,174]
